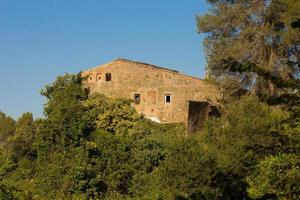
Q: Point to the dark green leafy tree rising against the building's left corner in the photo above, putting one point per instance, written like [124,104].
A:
[64,125]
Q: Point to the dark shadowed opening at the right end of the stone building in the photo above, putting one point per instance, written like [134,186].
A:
[198,112]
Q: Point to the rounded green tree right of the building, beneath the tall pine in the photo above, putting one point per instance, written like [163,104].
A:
[246,133]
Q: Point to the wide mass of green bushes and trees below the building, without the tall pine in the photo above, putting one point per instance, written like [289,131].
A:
[94,147]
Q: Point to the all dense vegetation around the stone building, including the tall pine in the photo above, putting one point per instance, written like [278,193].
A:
[93,147]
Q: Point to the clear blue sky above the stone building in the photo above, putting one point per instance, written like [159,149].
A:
[41,39]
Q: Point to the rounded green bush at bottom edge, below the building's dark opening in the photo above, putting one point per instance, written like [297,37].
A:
[186,173]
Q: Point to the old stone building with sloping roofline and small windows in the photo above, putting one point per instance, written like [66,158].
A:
[162,95]
